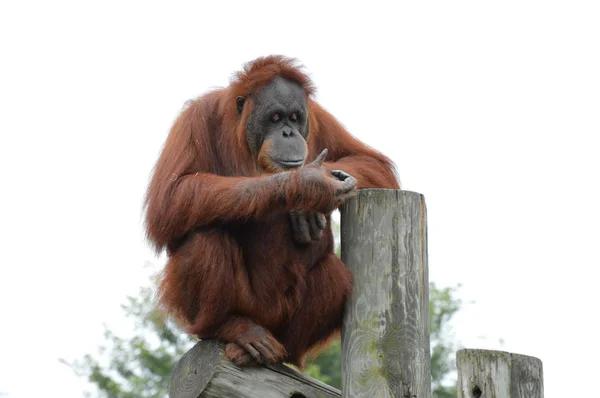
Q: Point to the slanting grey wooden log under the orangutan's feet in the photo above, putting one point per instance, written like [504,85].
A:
[204,372]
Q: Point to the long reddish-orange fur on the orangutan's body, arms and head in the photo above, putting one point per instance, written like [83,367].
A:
[232,260]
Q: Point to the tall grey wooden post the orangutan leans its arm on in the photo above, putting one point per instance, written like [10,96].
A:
[385,336]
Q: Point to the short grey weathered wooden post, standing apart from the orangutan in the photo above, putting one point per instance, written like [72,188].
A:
[483,373]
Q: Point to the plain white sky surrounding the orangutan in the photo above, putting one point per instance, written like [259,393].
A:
[492,111]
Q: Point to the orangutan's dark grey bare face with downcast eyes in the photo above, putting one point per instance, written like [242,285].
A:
[277,128]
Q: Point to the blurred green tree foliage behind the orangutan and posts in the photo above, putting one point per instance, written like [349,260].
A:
[140,366]
